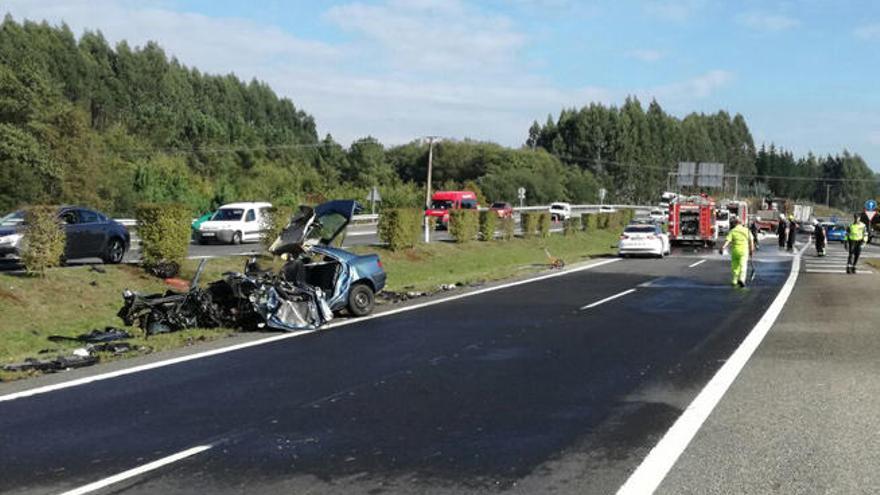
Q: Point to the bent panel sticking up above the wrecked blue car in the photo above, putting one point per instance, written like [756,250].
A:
[312,226]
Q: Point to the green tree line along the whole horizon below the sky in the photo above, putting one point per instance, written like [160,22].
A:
[85,122]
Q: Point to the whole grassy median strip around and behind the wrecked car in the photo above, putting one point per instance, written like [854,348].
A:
[73,300]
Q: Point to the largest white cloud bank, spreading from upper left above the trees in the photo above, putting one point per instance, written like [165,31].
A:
[414,67]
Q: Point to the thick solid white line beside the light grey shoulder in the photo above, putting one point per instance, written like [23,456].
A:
[654,468]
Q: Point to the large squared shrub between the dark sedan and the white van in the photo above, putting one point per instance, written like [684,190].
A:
[164,229]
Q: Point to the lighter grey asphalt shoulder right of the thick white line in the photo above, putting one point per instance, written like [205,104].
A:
[802,415]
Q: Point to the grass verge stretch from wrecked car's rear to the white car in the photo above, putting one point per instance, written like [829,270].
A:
[425,267]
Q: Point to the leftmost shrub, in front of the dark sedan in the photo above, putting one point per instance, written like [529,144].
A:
[44,239]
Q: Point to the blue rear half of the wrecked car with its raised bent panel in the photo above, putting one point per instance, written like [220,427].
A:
[349,281]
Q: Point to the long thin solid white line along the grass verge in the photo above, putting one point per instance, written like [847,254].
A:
[283,336]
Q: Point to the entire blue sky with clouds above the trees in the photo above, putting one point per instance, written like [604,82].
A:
[803,73]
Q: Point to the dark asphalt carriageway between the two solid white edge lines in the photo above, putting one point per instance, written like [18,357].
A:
[536,388]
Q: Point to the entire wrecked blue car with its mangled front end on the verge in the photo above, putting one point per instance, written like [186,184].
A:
[315,281]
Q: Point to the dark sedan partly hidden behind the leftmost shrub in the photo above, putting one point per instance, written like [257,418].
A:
[90,234]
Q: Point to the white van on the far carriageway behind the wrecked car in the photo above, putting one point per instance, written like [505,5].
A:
[235,223]
